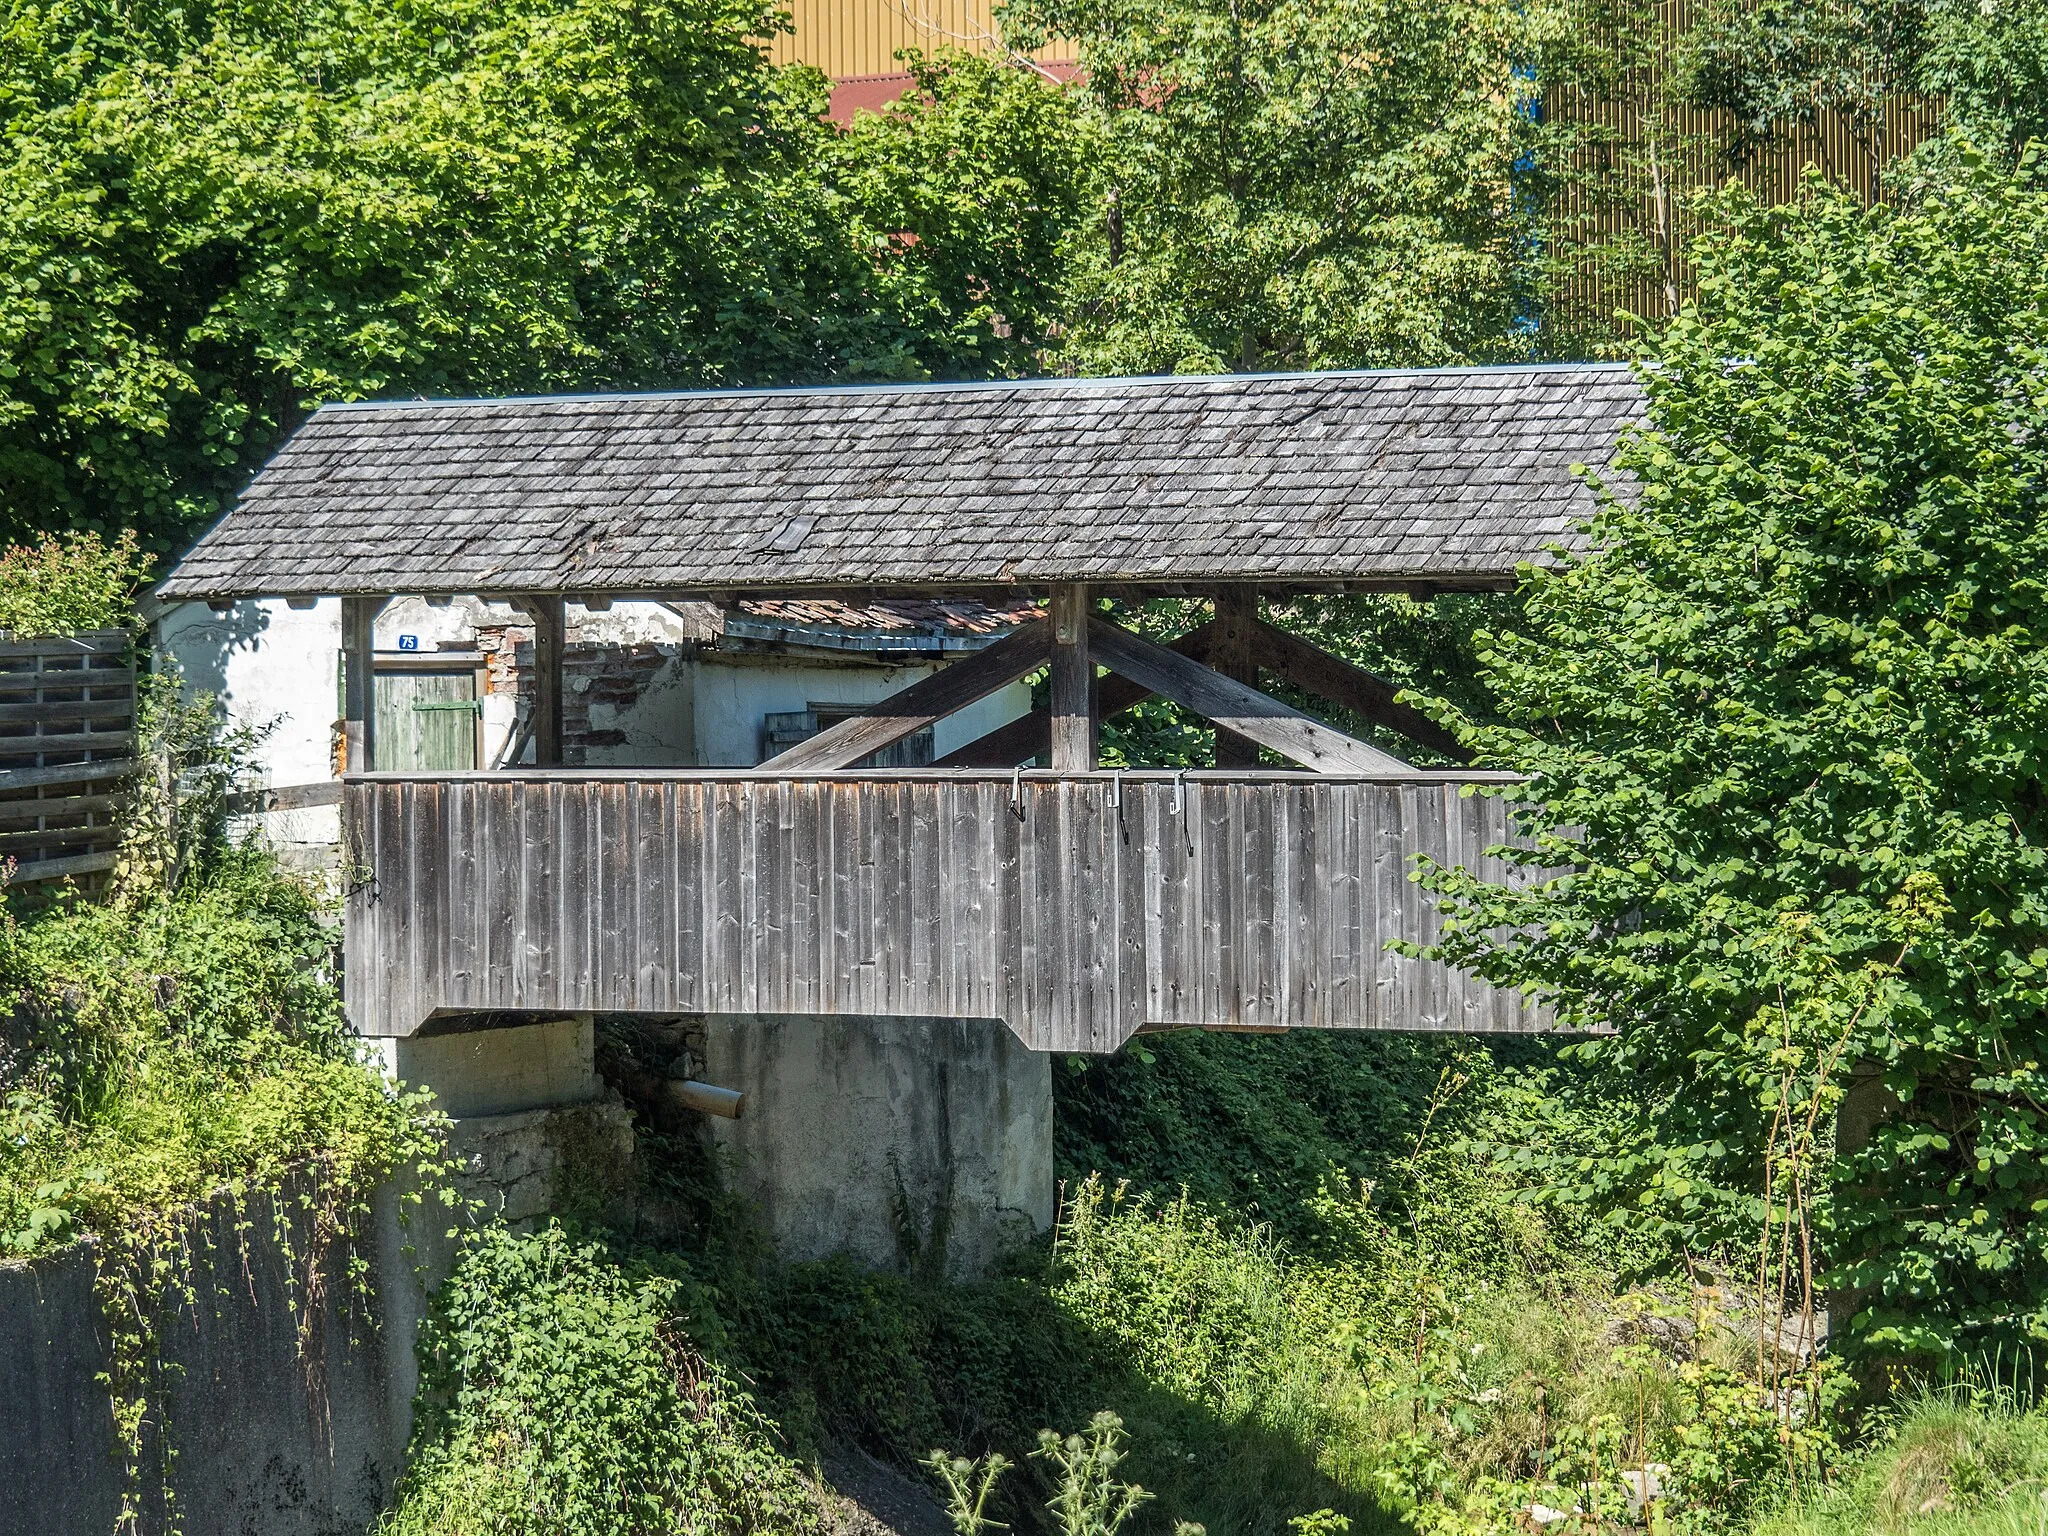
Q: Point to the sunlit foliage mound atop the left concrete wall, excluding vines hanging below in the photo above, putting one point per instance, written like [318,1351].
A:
[165,1050]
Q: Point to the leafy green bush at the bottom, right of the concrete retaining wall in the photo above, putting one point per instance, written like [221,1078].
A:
[562,1396]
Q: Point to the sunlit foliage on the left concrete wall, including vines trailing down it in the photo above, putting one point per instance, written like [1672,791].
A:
[177,1050]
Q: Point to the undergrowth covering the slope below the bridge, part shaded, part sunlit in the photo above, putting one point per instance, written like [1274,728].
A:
[1332,1310]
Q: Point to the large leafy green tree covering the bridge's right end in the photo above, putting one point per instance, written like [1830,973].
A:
[1783,730]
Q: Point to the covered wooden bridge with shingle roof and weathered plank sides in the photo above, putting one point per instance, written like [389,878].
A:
[1013,880]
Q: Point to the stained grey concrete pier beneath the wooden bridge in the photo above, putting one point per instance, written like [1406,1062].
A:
[914,1144]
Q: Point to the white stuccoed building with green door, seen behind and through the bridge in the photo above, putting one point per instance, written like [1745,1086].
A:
[687,685]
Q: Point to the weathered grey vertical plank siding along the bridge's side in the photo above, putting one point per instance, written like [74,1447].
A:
[1074,908]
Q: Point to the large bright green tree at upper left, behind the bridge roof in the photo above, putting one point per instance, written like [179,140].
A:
[214,216]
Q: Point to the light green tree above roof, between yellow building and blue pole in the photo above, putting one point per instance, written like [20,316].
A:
[1295,183]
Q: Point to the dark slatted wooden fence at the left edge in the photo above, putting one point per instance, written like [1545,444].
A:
[67,742]
